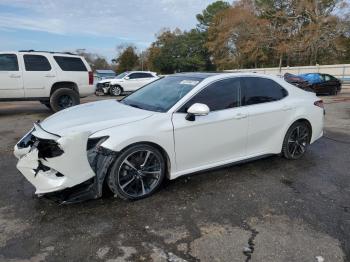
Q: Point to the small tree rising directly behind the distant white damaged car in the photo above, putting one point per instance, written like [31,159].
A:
[127,58]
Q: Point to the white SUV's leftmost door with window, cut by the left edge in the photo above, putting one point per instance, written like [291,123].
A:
[11,82]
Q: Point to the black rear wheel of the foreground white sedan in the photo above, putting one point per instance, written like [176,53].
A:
[296,142]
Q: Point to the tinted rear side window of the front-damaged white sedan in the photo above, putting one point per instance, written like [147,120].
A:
[258,90]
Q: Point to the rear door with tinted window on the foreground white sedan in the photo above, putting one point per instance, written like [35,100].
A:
[268,113]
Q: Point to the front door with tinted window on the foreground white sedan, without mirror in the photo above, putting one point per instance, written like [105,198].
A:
[215,138]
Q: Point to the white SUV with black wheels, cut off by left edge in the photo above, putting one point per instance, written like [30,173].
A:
[57,80]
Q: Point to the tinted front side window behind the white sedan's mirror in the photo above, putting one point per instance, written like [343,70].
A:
[223,94]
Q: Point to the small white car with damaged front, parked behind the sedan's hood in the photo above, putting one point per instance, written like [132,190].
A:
[126,82]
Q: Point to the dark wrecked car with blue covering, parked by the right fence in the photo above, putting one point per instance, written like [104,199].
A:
[318,83]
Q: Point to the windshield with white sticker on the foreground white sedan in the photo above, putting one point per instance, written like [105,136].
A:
[162,94]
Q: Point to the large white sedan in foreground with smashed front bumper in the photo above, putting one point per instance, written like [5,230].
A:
[174,126]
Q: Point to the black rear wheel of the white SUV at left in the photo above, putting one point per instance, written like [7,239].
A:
[63,98]
